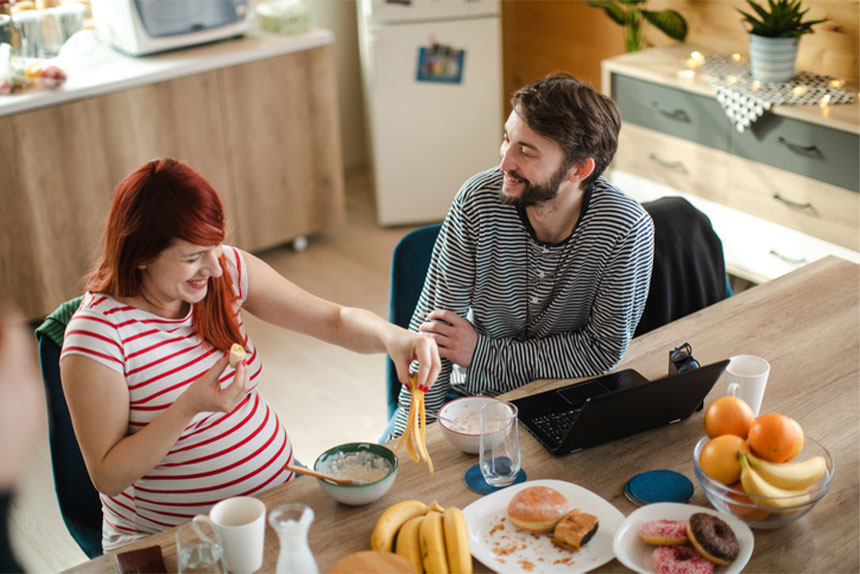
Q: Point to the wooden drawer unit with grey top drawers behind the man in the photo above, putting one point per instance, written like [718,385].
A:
[783,193]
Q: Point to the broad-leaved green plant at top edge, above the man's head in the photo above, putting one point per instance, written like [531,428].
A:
[632,15]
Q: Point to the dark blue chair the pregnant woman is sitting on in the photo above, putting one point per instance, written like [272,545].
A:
[78,499]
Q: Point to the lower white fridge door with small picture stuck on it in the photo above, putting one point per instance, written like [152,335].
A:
[427,137]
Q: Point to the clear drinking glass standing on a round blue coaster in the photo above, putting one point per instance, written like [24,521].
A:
[500,444]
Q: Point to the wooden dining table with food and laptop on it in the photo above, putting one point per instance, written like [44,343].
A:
[806,324]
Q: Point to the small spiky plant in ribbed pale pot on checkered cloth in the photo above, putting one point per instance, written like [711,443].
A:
[775,32]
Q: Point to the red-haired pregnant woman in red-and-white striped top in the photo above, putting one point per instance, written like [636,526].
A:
[167,429]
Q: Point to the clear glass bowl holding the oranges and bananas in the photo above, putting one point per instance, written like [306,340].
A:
[777,512]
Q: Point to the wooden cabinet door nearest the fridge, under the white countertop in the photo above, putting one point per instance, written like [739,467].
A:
[283,146]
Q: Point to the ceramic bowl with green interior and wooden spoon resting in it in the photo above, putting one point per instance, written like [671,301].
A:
[358,494]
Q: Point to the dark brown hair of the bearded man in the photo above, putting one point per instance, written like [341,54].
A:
[584,122]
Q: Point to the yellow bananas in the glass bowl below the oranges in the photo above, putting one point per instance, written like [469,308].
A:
[779,484]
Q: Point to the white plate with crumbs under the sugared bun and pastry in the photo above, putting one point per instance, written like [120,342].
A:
[502,547]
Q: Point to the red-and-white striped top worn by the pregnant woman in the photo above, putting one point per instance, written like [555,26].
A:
[219,454]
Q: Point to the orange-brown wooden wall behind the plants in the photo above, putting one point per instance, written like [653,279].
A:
[543,36]
